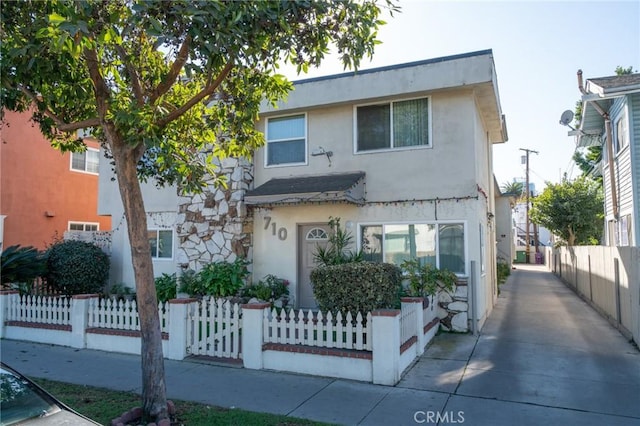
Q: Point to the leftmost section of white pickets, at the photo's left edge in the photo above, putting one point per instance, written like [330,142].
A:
[40,310]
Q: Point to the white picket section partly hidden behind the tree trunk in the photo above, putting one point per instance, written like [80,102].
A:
[121,314]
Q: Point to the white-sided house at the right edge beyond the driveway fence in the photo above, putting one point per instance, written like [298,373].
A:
[611,117]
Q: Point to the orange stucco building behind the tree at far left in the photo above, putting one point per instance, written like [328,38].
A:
[43,192]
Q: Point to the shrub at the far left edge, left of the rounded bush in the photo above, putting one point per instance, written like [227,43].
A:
[21,265]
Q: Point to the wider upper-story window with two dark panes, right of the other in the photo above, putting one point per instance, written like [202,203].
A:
[394,125]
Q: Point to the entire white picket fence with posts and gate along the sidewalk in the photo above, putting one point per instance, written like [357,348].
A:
[376,347]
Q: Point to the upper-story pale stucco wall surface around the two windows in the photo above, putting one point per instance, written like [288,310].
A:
[446,169]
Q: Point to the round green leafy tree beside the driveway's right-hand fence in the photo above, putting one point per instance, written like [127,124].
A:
[573,210]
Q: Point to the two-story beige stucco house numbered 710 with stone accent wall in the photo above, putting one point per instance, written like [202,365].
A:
[401,154]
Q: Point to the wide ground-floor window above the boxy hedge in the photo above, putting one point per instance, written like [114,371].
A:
[439,244]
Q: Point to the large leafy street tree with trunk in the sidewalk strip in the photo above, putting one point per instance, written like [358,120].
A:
[166,86]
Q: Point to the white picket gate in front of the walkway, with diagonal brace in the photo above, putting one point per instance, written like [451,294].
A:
[213,329]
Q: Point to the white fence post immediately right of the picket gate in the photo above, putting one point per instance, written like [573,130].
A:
[253,334]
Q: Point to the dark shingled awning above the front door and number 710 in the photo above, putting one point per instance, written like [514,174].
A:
[342,187]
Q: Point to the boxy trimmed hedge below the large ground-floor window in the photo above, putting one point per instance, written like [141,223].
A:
[357,287]
